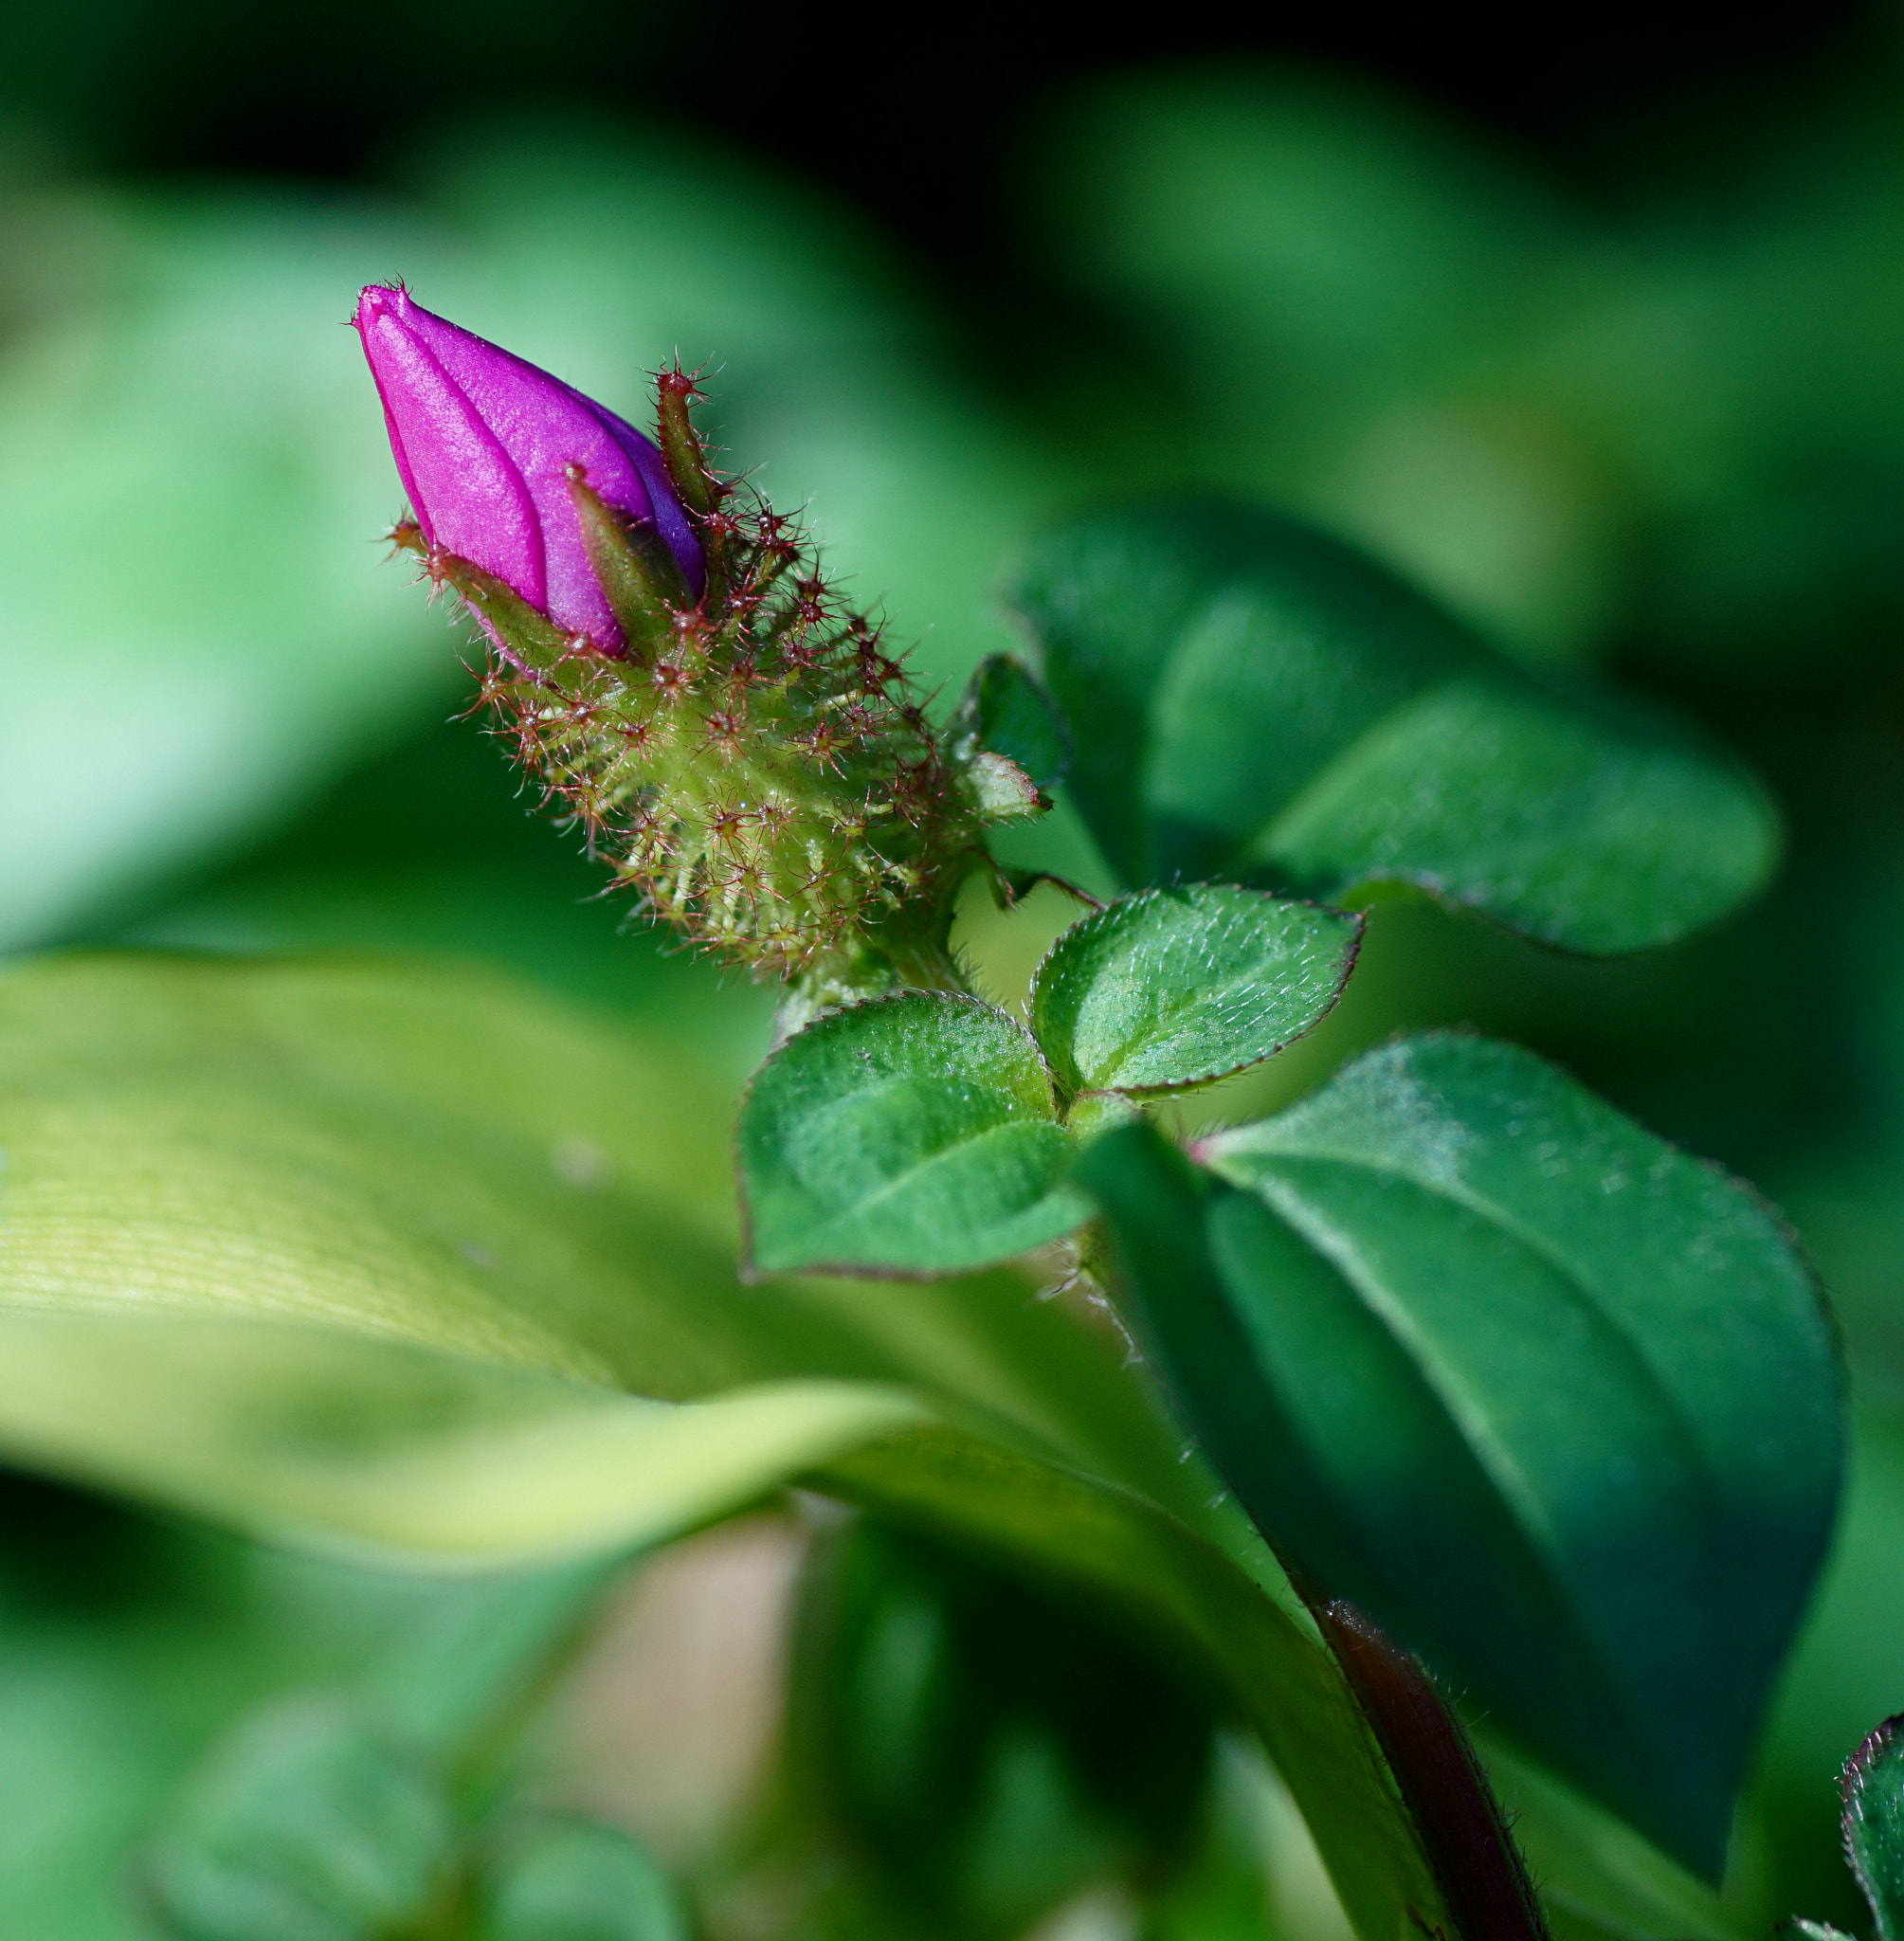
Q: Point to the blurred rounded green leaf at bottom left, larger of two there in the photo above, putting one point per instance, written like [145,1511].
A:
[304,1827]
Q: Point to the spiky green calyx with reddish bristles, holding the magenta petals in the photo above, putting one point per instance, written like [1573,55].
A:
[754,764]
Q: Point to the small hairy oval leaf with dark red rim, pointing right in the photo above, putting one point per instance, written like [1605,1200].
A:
[1177,987]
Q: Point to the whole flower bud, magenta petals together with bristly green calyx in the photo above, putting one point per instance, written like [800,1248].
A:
[733,740]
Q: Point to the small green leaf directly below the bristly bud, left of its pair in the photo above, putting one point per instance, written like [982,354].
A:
[911,1135]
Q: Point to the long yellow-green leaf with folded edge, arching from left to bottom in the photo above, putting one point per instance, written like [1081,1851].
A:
[410,1259]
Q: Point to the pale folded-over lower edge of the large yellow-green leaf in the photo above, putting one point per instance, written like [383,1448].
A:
[395,1453]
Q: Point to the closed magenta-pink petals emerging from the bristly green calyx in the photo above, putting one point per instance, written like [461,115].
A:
[486,444]
